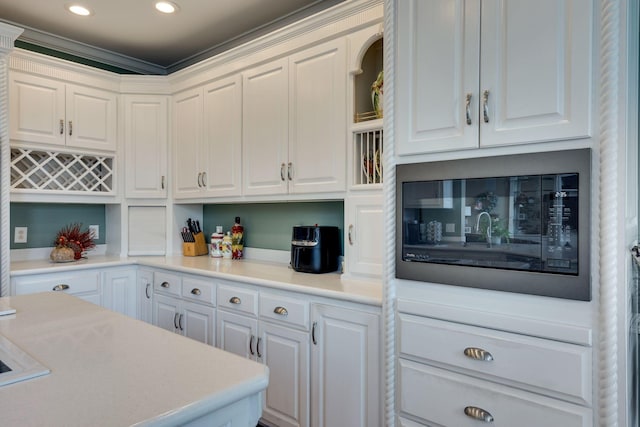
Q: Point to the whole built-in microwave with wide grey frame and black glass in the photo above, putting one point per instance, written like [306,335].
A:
[516,223]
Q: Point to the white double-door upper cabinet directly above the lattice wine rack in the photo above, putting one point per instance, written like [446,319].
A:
[48,111]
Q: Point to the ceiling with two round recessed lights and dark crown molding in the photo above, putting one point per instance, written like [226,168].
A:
[132,35]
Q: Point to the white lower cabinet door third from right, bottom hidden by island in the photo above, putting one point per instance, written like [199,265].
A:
[237,334]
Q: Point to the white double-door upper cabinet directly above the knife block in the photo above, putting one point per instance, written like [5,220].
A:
[208,139]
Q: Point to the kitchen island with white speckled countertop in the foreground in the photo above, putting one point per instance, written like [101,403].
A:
[109,369]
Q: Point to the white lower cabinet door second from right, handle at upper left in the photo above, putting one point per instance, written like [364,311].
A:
[286,352]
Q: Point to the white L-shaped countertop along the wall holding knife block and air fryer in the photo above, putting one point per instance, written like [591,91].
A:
[269,274]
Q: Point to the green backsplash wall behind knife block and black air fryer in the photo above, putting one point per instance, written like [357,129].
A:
[269,225]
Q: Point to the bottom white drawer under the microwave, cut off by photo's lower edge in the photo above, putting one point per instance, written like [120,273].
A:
[440,397]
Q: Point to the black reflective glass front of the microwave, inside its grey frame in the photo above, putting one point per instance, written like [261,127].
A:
[527,222]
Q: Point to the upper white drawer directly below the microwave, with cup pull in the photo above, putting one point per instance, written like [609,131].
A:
[549,367]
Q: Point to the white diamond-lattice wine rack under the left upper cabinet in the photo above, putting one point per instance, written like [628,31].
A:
[51,171]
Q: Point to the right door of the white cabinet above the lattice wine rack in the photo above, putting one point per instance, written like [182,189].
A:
[91,118]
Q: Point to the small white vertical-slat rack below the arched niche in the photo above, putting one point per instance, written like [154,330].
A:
[368,157]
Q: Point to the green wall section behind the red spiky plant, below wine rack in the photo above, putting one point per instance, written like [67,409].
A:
[45,219]
